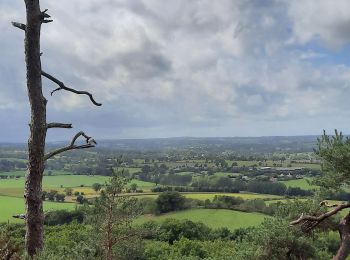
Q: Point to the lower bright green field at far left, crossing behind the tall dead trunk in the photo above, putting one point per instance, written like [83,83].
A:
[10,206]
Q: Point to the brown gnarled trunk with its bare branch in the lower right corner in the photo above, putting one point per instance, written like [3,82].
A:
[308,223]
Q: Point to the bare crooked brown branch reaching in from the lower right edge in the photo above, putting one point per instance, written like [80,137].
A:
[310,222]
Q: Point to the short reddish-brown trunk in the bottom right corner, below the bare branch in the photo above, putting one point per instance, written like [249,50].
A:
[344,231]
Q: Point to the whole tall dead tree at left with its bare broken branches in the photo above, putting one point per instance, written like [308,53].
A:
[39,126]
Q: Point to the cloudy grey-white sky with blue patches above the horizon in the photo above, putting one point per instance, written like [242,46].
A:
[166,68]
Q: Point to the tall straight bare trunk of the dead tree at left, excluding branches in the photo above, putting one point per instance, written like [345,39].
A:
[36,141]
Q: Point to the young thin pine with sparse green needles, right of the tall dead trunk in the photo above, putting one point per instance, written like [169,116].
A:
[112,218]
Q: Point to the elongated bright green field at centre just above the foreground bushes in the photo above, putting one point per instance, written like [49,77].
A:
[214,218]
